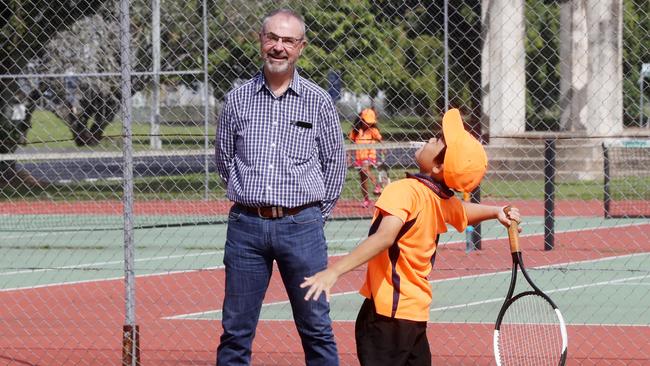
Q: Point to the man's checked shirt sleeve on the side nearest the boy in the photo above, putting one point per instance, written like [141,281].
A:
[332,157]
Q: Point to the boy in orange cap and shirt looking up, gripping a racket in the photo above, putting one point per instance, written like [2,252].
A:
[410,214]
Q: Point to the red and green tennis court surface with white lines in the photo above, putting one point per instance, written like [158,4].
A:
[602,291]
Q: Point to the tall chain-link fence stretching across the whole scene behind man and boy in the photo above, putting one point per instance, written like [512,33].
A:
[113,218]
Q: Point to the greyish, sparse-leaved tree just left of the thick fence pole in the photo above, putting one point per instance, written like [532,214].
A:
[89,46]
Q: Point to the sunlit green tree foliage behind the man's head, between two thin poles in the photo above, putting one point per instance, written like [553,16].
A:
[372,51]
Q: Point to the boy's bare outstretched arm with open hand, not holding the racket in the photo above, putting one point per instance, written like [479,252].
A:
[383,238]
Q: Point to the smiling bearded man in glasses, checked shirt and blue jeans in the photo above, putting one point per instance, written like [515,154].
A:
[279,149]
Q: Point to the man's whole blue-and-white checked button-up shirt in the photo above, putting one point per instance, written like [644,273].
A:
[280,151]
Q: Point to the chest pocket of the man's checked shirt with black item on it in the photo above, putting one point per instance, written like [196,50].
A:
[299,140]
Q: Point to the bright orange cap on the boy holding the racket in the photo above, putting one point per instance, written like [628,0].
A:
[465,160]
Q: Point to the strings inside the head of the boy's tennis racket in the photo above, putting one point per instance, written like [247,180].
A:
[530,333]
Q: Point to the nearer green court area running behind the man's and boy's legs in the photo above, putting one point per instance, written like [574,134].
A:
[586,295]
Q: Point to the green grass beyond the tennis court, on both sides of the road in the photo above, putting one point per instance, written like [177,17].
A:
[49,132]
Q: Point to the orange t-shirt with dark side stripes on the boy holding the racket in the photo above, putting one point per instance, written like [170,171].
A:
[396,278]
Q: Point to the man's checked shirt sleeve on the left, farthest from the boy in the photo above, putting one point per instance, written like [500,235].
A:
[224,144]
